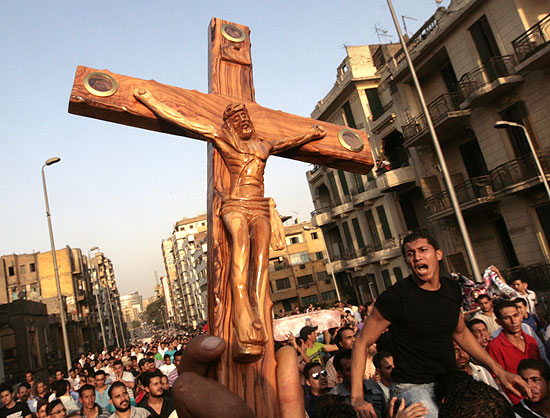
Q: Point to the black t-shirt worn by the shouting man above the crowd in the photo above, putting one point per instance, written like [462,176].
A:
[422,326]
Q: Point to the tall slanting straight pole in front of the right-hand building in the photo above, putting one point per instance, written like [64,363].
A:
[442,163]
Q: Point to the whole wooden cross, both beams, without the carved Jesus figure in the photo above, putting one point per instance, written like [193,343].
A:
[111,97]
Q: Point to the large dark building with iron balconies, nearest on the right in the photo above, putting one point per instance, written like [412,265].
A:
[478,62]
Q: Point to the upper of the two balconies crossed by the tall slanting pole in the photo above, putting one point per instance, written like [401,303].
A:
[446,117]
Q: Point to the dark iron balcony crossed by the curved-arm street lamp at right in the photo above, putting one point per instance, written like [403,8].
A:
[519,174]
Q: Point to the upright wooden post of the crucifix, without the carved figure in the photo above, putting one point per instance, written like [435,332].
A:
[230,74]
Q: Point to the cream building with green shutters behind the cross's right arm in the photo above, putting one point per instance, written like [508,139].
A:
[362,217]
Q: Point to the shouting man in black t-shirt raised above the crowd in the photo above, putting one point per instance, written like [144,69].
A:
[423,316]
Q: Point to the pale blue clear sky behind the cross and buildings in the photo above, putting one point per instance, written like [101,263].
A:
[123,188]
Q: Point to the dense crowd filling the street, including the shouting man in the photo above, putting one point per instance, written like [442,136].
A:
[412,353]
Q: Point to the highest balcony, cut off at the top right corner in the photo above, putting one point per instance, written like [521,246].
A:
[532,47]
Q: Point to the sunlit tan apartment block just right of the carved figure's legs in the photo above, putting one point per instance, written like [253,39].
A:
[298,273]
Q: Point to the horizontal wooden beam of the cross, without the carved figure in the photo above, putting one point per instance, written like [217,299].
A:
[123,108]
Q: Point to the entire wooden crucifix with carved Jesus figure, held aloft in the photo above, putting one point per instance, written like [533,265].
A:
[241,135]
